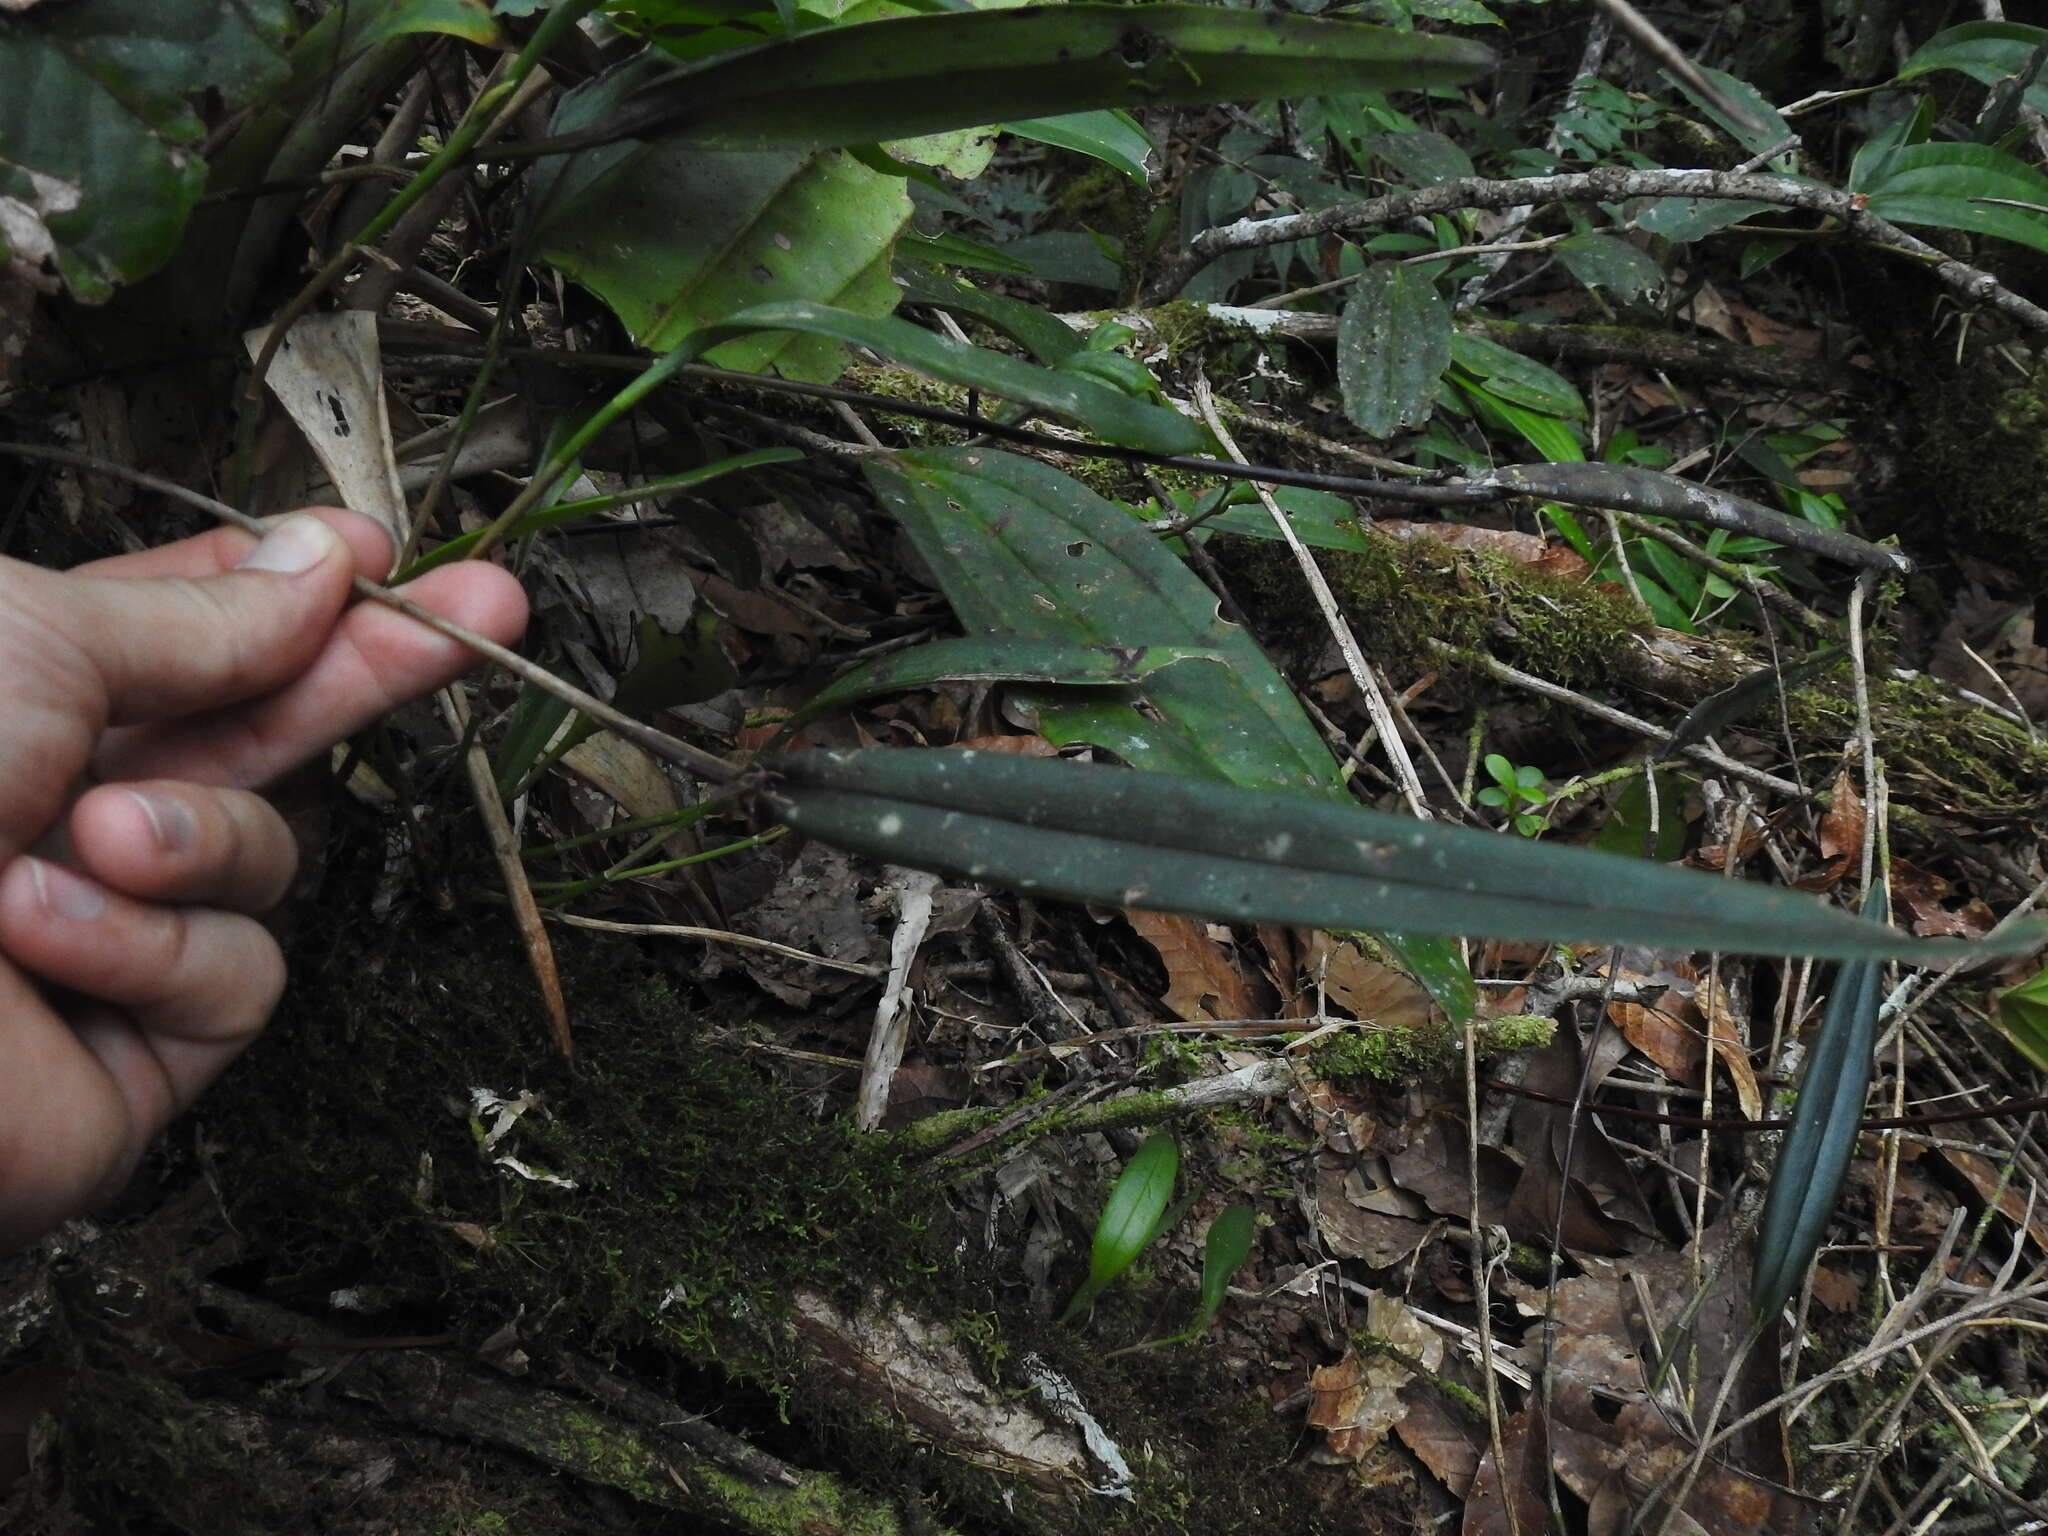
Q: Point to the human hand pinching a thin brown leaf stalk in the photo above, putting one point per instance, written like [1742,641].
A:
[173,681]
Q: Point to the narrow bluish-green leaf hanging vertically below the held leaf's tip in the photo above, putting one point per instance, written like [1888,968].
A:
[1816,1154]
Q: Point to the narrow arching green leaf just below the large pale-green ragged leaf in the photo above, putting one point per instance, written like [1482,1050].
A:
[1099,407]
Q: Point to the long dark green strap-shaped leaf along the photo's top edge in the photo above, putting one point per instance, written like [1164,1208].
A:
[925,75]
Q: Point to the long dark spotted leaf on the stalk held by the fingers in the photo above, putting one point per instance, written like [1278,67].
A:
[1089,833]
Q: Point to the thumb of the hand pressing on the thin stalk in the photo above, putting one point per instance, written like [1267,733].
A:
[177,646]
